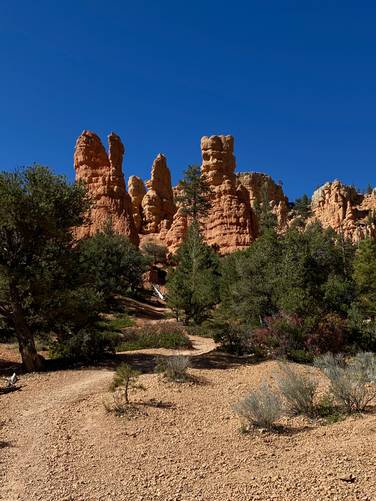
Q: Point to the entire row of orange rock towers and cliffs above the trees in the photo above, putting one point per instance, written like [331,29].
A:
[150,213]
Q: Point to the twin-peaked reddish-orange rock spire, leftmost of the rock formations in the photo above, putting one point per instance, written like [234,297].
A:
[102,173]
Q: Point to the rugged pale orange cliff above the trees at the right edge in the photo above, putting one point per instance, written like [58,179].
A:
[345,210]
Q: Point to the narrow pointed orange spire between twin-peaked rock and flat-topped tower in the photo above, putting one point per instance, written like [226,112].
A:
[158,206]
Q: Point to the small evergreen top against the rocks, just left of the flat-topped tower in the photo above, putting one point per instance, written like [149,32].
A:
[194,193]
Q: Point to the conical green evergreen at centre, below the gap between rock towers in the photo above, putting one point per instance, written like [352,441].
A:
[193,285]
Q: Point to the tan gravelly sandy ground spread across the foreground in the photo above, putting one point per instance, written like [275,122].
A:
[58,443]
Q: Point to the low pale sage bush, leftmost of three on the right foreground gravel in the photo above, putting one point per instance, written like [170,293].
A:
[261,408]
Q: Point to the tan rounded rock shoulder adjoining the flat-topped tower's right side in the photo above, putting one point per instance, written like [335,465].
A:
[262,188]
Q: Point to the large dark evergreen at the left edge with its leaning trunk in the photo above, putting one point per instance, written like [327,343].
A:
[37,213]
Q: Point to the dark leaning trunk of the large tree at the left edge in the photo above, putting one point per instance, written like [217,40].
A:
[31,360]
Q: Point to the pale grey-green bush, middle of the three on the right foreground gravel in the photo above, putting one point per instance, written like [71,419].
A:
[298,390]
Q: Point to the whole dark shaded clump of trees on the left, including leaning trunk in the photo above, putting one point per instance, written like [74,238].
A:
[49,286]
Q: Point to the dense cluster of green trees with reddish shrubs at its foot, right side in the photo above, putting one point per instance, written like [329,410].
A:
[291,294]
